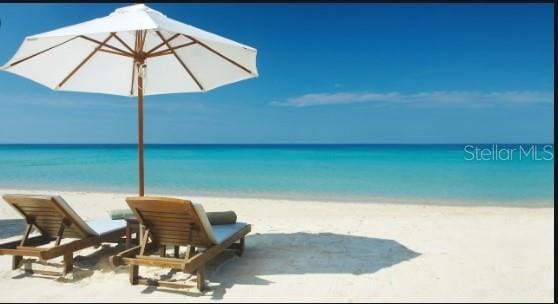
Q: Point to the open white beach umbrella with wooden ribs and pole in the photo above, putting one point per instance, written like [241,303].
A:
[134,51]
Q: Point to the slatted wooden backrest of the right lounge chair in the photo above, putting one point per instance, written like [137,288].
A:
[173,221]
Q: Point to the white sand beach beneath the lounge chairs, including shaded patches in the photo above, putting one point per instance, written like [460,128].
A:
[327,251]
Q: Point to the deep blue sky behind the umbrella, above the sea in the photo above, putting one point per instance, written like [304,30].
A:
[329,73]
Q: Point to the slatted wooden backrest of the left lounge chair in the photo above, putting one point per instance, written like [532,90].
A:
[47,213]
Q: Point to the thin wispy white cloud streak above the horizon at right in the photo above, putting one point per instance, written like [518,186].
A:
[464,98]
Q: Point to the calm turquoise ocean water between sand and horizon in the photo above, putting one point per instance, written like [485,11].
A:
[337,172]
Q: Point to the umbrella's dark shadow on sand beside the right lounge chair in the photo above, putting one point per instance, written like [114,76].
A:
[300,253]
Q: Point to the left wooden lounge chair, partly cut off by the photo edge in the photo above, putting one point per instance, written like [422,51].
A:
[56,222]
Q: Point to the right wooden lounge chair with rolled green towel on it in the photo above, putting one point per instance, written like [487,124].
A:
[176,222]
